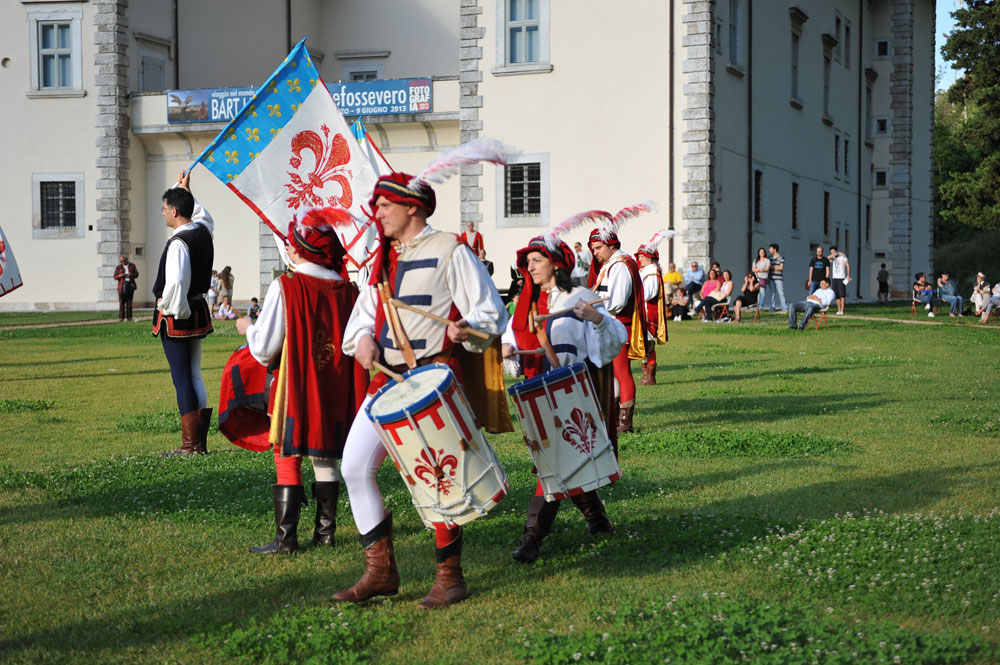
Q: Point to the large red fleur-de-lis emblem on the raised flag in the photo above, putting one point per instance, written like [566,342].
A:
[331,157]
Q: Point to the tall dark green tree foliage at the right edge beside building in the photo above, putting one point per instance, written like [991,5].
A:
[969,136]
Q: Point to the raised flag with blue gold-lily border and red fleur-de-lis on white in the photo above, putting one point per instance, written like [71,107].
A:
[290,150]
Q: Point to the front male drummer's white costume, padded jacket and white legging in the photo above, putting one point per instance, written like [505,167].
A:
[437,273]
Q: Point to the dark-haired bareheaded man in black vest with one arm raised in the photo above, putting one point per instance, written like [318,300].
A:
[182,315]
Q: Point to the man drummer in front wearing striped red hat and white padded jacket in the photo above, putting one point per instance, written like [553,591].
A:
[433,270]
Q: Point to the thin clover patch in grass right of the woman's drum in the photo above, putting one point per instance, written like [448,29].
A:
[736,443]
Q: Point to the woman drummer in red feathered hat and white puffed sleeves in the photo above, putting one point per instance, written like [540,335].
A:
[587,333]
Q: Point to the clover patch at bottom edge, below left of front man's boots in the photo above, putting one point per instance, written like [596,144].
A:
[338,636]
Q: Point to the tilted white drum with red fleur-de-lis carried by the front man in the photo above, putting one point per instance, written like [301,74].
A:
[427,426]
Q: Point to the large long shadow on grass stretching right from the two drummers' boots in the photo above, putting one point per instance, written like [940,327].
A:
[666,538]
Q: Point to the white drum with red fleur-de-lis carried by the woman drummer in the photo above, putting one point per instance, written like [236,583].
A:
[565,431]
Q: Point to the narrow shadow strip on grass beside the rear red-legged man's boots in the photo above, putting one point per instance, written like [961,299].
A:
[768,408]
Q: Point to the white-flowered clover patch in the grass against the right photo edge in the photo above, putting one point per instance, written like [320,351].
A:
[932,565]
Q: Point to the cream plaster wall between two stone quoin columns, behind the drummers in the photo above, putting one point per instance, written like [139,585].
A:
[601,115]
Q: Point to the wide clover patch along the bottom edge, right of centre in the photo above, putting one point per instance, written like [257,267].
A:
[714,628]
